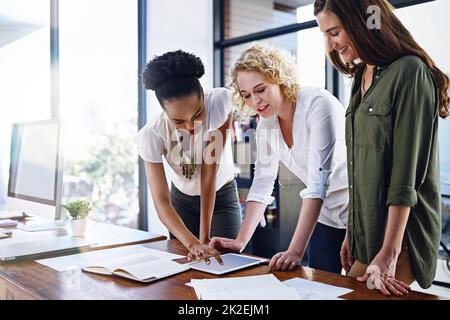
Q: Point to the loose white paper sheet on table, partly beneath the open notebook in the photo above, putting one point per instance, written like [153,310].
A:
[81,260]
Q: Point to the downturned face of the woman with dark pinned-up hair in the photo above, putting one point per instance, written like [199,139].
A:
[183,112]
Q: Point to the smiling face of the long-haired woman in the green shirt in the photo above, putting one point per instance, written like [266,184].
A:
[336,38]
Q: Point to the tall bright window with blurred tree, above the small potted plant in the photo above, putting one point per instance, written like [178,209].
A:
[98,102]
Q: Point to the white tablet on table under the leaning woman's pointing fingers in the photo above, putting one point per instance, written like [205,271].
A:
[231,262]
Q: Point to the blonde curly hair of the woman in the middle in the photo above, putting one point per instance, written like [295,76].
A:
[275,64]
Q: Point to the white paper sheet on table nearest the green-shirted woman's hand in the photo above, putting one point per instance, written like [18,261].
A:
[313,290]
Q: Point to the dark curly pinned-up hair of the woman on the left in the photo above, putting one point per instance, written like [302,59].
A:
[174,74]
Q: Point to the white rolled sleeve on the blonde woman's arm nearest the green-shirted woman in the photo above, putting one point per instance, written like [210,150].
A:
[322,125]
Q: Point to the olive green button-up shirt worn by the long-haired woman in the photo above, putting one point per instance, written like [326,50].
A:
[393,159]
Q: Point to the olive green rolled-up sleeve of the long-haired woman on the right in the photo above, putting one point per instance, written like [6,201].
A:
[415,113]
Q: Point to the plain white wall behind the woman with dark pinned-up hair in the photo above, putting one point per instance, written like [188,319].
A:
[173,25]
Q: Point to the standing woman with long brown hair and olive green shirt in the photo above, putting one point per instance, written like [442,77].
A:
[397,97]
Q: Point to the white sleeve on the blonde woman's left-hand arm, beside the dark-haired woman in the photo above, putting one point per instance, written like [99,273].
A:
[266,165]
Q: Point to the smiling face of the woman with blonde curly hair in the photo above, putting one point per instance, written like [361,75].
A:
[260,94]
